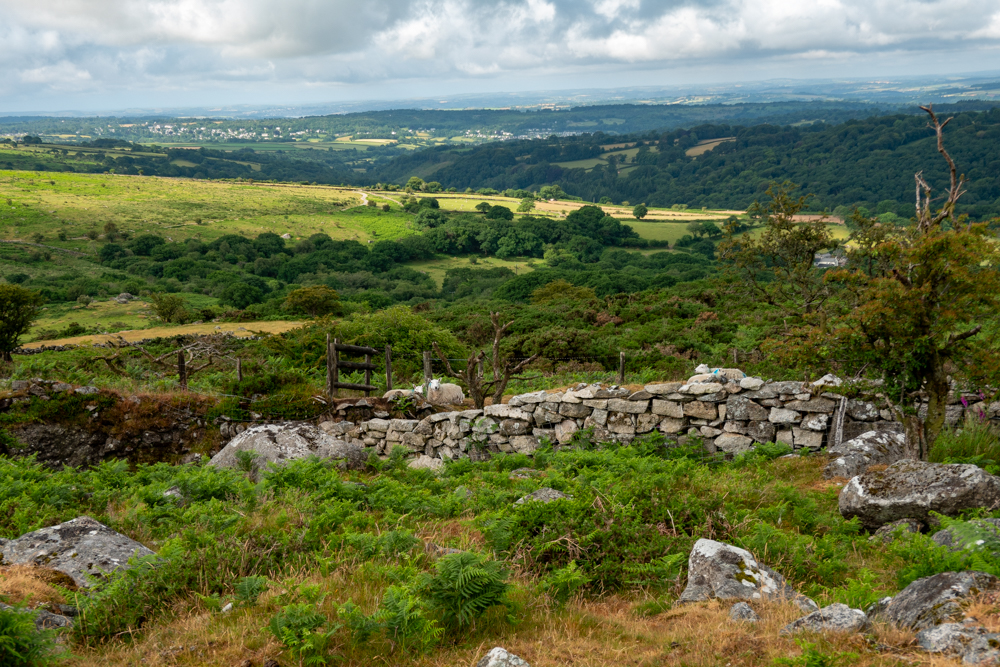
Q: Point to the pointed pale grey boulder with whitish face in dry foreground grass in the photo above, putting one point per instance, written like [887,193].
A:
[721,571]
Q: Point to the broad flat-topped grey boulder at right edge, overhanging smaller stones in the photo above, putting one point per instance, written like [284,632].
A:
[912,489]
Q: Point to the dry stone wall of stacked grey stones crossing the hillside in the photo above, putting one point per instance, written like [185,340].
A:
[722,408]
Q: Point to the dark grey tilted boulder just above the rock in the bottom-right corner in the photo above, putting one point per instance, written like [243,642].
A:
[938,599]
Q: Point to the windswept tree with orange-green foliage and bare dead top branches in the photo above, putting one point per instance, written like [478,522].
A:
[911,308]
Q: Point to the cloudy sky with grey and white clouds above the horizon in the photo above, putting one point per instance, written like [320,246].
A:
[101,54]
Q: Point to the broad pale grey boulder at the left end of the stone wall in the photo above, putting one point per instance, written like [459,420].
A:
[287,441]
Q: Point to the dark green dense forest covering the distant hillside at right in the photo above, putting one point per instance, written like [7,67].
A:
[868,163]
